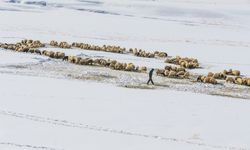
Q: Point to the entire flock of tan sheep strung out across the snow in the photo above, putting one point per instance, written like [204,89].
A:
[31,46]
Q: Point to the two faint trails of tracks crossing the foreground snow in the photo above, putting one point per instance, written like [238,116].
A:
[103,129]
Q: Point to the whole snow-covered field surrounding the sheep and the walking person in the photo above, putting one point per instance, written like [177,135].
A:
[49,104]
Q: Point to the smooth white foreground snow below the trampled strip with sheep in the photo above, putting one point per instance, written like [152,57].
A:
[166,114]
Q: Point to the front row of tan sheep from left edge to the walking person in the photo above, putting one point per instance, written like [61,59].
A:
[30,46]
